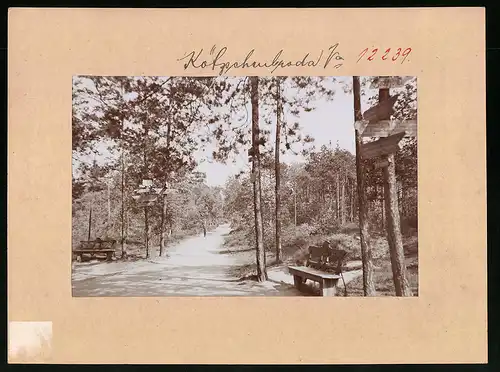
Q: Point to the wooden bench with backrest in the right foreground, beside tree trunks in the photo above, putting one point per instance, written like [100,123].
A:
[324,265]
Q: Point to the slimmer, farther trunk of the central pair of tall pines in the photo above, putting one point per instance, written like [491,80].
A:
[277,174]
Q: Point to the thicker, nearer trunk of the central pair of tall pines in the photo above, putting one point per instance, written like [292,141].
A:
[259,235]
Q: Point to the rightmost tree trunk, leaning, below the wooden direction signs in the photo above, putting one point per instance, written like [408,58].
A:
[394,237]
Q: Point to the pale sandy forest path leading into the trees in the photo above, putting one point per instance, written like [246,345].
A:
[196,266]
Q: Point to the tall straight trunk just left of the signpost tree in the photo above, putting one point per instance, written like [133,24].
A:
[366,249]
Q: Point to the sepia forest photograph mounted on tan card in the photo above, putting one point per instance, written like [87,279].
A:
[244,186]
